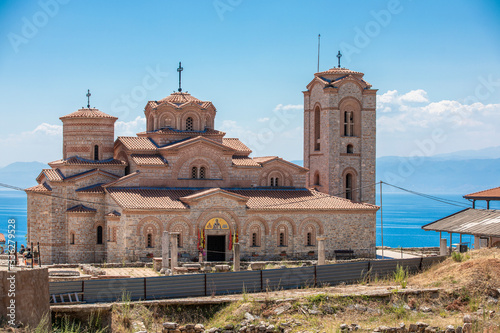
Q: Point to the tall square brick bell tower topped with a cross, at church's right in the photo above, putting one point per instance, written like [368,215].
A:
[340,134]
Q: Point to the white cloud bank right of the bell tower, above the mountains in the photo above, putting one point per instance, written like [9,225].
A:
[404,120]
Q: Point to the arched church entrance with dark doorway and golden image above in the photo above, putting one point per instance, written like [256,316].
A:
[217,231]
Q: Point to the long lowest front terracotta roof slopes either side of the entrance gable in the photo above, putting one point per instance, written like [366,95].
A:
[258,199]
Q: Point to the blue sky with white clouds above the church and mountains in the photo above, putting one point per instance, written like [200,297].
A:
[435,63]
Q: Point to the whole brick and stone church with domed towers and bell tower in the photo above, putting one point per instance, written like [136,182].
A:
[111,200]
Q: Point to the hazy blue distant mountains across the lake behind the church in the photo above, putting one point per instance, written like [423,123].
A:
[461,172]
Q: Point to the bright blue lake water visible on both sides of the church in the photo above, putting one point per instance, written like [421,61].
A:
[403,216]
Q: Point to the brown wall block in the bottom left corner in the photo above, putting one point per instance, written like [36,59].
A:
[25,296]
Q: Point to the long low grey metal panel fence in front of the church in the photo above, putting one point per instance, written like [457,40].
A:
[180,286]
